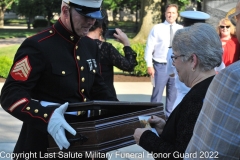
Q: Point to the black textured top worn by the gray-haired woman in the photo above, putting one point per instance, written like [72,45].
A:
[179,126]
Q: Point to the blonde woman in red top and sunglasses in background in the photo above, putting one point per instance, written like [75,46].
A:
[230,44]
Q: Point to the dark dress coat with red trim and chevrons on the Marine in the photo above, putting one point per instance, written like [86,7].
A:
[56,66]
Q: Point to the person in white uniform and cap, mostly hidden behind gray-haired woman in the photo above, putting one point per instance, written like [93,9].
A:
[188,18]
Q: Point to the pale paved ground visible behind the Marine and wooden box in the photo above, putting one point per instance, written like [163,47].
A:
[126,91]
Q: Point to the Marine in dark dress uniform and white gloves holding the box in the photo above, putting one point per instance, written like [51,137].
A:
[55,66]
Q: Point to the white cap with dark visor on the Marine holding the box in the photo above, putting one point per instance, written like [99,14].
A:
[88,8]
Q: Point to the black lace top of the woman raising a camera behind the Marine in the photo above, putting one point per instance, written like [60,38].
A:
[109,57]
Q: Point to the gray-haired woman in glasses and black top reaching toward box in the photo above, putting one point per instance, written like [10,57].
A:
[196,51]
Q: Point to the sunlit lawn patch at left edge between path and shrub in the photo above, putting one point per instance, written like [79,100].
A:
[9,51]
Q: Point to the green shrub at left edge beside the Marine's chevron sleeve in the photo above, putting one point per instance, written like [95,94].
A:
[5,65]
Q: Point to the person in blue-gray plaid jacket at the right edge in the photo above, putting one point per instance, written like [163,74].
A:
[217,128]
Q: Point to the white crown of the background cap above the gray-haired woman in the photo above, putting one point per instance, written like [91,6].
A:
[198,15]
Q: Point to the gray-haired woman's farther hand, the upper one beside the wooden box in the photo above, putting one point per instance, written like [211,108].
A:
[158,123]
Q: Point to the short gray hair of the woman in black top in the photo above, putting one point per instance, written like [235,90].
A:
[200,39]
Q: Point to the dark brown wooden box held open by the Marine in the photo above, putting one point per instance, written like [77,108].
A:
[109,126]
